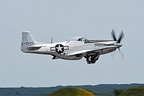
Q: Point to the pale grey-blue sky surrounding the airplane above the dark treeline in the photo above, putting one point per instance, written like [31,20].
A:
[93,19]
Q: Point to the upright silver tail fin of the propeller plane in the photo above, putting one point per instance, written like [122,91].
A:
[27,40]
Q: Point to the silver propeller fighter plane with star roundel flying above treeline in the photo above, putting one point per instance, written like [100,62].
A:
[74,49]
